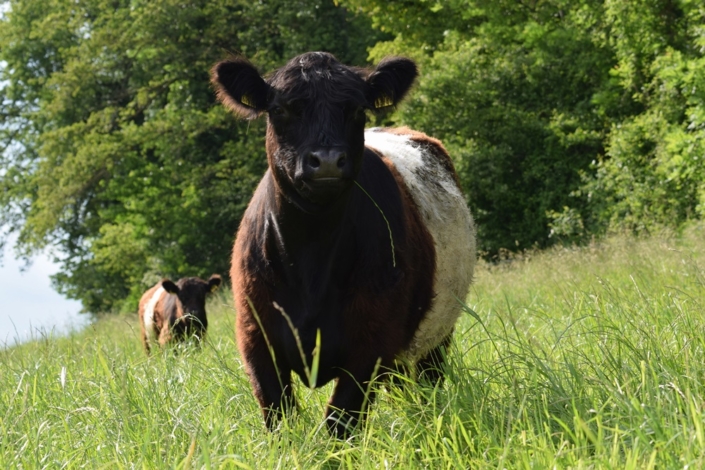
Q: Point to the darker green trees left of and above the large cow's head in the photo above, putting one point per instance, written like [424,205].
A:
[114,150]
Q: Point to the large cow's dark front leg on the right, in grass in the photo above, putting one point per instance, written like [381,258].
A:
[353,394]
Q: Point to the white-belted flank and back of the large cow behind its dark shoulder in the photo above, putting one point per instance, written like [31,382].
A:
[428,172]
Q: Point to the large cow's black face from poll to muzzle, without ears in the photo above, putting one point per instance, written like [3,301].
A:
[316,122]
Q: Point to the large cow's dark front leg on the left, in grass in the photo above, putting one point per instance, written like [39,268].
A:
[270,382]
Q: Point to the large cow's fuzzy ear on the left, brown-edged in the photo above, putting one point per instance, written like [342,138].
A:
[240,87]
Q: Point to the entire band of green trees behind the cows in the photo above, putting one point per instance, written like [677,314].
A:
[565,118]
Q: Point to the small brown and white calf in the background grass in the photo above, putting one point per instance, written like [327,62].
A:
[170,312]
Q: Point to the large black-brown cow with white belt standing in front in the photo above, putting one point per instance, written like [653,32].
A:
[363,237]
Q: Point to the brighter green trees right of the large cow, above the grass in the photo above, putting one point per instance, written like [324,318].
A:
[566,118]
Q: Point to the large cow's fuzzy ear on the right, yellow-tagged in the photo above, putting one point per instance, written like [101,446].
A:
[390,81]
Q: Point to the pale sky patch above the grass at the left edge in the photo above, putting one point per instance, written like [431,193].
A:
[29,307]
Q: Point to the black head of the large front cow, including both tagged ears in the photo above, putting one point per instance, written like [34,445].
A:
[315,116]
